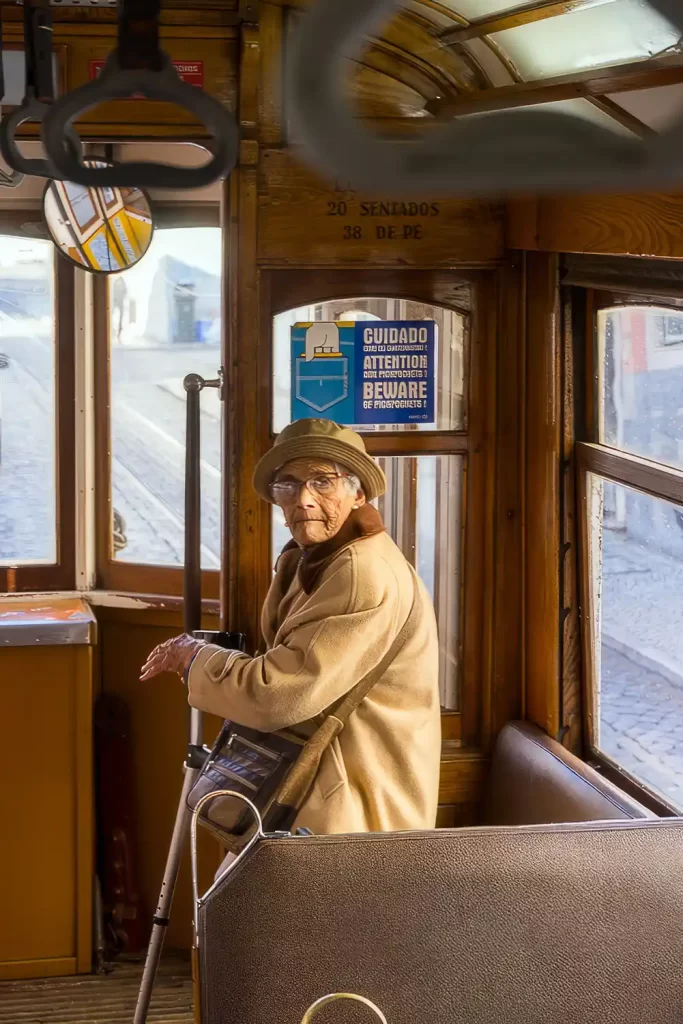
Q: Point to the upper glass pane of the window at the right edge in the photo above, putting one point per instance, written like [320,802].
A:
[642,381]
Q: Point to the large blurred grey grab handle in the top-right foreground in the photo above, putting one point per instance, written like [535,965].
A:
[496,154]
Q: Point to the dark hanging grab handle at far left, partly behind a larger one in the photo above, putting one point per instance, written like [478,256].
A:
[38,95]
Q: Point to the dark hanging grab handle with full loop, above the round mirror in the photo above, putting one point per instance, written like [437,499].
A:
[140,67]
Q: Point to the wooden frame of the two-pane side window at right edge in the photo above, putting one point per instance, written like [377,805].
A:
[621,467]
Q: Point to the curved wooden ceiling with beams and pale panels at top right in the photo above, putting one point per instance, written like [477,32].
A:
[455,68]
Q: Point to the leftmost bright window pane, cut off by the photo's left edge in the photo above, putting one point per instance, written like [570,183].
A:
[28,463]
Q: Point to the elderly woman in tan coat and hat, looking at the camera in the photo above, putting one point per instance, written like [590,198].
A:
[343,594]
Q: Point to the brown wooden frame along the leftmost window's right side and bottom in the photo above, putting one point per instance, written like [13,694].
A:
[61,575]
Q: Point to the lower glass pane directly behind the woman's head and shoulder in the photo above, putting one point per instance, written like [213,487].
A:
[422,511]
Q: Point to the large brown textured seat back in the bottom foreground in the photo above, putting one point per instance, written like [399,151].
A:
[578,924]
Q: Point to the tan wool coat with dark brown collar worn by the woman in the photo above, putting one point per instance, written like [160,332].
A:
[325,625]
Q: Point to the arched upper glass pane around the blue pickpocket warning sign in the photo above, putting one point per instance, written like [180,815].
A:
[451,329]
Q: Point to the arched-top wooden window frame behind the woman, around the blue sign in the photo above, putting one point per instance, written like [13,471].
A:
[472,293]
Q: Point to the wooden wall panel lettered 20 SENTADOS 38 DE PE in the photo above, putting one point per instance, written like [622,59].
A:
[304,223]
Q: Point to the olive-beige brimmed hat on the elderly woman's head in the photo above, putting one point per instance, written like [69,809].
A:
[321,440]
